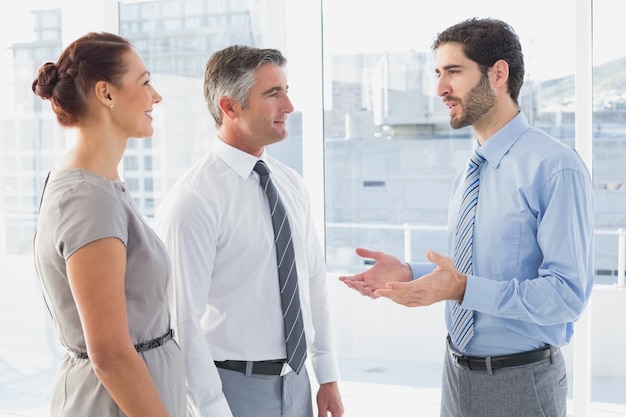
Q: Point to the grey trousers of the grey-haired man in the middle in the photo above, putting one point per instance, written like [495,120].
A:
[267,395]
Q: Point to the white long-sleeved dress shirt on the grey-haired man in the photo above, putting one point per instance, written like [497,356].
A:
[216,224]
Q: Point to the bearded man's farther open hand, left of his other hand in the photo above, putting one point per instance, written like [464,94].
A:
[387,268]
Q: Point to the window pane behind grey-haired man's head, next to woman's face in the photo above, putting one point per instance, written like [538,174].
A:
[175,39]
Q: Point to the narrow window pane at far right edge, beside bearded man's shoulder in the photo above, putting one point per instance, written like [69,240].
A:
[609,144]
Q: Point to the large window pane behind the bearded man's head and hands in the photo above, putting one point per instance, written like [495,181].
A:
[390,153]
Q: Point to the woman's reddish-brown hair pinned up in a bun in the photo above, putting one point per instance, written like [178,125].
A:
[67,83]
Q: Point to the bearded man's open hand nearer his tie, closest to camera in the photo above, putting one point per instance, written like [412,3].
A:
[444,283]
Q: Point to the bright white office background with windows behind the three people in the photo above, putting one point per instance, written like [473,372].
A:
[369,135]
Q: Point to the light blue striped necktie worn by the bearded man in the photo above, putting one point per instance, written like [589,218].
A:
[463,319]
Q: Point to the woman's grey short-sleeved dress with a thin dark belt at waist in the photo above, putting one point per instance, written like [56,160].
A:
[79,207]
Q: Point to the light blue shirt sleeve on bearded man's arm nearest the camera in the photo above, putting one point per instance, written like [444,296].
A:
[559,291]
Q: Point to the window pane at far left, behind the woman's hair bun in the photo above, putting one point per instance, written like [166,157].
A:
[30,135]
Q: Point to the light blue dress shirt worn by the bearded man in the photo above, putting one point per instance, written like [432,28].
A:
[533,242]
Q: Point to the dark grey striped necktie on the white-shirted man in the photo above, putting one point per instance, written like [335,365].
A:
[287,275]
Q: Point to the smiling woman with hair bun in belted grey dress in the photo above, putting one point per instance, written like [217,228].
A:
[104,273]
